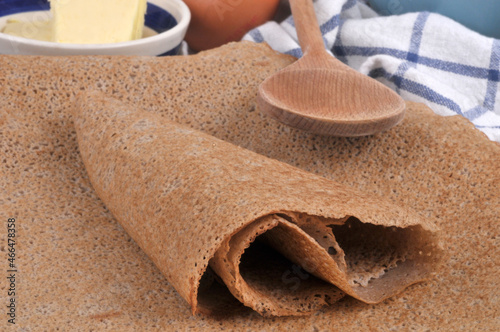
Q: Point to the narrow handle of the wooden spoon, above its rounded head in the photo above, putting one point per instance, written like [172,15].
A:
[306,24]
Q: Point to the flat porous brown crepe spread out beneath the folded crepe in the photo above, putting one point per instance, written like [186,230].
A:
[80,269]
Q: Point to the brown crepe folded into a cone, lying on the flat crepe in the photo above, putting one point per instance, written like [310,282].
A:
[209,213]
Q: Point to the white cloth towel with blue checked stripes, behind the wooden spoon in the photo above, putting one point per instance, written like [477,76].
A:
[425,57]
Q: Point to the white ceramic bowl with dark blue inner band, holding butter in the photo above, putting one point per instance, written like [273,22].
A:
[166,23]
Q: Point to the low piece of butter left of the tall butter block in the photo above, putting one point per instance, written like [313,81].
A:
[39,30]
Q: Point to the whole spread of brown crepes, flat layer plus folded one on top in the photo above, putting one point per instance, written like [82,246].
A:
[162,147]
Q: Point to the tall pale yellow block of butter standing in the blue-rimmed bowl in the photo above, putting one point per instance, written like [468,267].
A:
[97,21]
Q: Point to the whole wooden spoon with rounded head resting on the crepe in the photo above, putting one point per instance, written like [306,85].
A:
[320,94]
